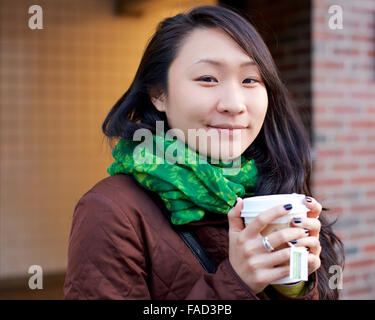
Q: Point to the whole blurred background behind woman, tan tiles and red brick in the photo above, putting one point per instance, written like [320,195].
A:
[57,85]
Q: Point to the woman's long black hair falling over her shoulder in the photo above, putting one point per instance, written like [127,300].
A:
[281,150]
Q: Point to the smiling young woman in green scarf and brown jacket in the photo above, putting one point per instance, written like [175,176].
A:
[172,230]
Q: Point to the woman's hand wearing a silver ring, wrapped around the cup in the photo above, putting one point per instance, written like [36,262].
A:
[256,266]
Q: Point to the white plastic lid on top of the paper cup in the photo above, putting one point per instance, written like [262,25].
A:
[255,205]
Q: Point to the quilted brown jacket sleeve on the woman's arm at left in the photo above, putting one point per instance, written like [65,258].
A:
[105,255]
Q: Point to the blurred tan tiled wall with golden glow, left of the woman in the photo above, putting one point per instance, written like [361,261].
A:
[57,85]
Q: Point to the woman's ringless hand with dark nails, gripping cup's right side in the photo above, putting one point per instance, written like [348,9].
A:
[311,242]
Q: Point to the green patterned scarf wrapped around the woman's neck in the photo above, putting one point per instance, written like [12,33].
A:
[188,189]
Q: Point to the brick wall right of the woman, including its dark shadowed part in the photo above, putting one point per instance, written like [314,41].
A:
[331,74]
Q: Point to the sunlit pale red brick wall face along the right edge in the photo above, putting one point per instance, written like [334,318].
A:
[343,86]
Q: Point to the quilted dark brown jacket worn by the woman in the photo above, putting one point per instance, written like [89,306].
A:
[122,247]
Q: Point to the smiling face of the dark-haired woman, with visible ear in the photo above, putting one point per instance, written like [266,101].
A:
[215,95]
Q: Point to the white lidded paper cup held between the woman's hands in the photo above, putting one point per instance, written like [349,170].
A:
[253,206]
